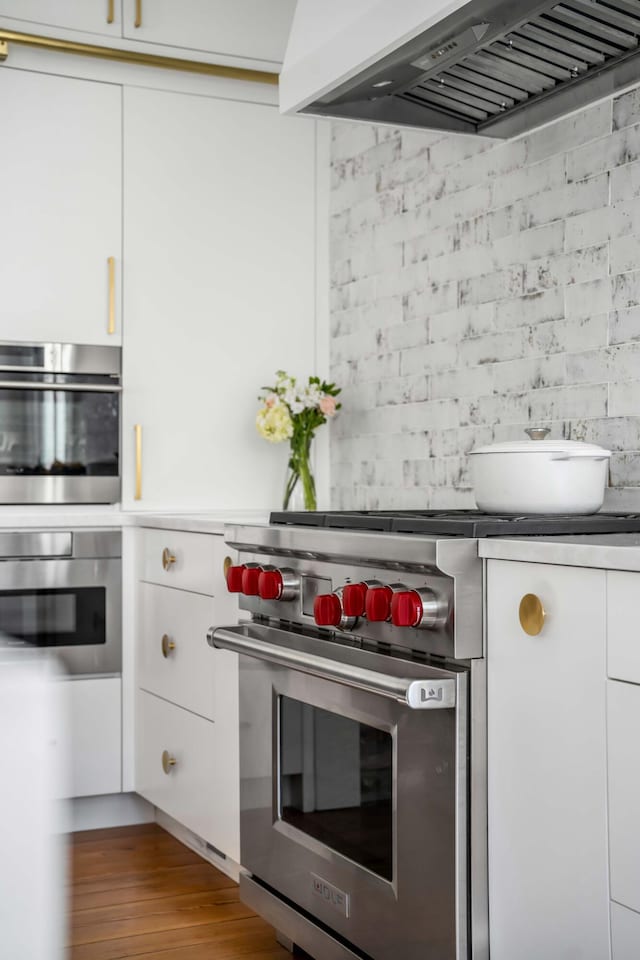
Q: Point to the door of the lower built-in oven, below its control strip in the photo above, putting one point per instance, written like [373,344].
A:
[72,607]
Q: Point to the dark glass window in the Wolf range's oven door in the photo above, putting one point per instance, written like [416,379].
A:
[335,783]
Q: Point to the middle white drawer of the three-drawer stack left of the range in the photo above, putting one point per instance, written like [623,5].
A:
[190,673]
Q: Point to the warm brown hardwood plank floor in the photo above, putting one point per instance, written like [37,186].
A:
[138,892]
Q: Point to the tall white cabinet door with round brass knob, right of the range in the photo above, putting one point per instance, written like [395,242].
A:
[548,889]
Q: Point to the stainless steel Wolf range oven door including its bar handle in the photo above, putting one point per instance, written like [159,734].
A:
[353,772]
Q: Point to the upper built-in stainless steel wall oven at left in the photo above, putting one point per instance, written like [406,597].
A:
[59,423]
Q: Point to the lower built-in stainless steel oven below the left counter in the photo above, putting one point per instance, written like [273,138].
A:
[62,590]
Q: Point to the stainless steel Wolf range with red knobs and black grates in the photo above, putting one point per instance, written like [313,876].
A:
[363,727]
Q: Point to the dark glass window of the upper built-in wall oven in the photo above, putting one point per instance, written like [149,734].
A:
[58,432]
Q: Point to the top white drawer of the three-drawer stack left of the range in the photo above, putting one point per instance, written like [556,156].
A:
[197,564]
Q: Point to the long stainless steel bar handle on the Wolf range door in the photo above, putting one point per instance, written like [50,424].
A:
[417,694]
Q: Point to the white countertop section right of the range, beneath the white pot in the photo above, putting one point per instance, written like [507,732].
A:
[614,551]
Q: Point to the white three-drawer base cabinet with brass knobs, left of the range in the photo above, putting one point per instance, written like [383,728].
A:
[187,692]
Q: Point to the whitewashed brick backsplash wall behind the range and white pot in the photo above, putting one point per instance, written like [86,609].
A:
[479,287]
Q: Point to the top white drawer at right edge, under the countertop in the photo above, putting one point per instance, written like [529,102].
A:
[623,638]
